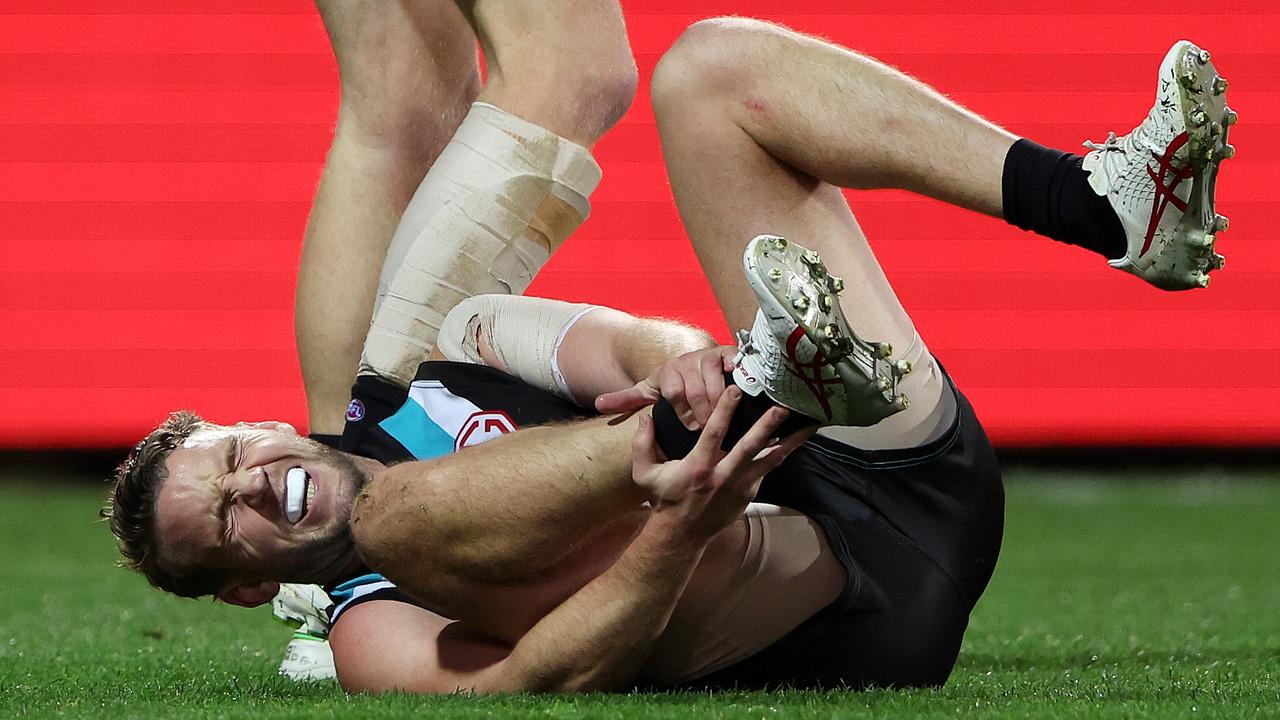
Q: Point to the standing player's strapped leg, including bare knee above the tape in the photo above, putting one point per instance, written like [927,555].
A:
[560,75]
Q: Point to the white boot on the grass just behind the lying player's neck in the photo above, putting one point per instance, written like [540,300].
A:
[308,657]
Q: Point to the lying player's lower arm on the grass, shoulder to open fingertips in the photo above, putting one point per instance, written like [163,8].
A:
[601,636]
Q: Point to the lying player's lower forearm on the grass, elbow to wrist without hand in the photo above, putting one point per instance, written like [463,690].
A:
[600,639]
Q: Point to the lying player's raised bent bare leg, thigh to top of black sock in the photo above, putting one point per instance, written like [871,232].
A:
[762,126]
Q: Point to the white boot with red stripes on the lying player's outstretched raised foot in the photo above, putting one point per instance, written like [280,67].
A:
[1160,177]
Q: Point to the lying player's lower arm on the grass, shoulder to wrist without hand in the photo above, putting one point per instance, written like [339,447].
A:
[596,640]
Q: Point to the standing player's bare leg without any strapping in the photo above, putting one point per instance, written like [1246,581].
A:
[409,74]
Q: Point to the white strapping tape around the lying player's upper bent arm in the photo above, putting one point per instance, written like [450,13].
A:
[525,335]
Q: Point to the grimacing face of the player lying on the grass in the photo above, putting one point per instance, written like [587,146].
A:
[222,508]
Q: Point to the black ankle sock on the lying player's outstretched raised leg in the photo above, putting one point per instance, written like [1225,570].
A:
[1048,192]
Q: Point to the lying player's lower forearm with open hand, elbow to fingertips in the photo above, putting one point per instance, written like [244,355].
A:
[600,639]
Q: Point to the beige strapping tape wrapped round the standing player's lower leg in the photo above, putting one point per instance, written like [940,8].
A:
[501,198]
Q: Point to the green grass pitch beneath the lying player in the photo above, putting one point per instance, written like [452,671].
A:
[1117,596]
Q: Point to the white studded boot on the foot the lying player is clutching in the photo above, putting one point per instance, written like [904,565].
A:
[802,352]
